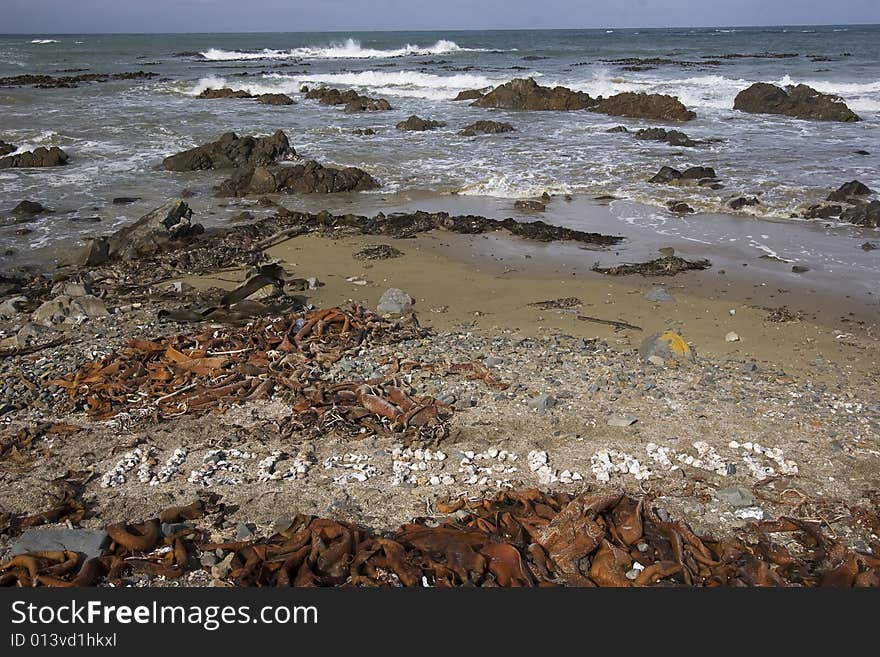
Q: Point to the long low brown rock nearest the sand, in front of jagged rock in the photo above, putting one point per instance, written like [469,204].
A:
[307,178]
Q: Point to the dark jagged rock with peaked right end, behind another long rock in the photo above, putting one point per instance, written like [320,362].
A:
[232,151]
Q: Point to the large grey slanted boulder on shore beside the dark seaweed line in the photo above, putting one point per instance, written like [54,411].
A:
[155,231]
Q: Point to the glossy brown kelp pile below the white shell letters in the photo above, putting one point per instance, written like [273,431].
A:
[516,539]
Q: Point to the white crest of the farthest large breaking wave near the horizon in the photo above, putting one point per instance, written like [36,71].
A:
[350,49]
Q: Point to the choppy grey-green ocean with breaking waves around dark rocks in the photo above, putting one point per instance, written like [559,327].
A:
[117,132]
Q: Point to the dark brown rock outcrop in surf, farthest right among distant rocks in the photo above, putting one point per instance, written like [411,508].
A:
[799,101]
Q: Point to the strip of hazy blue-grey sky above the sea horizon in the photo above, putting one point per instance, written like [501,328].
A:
[75,16]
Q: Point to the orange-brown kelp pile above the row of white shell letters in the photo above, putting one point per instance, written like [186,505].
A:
[216,368]
